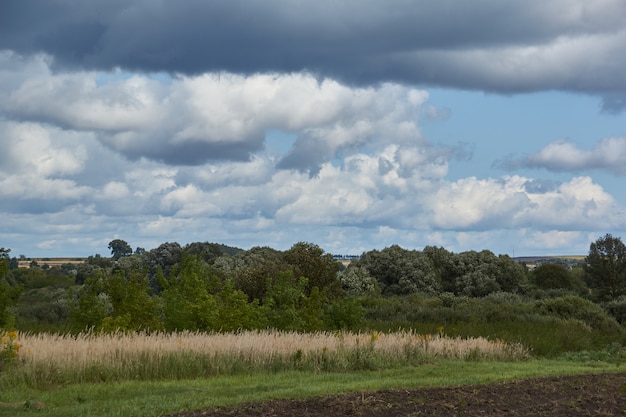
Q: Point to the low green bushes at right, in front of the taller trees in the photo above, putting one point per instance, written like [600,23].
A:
[550,328]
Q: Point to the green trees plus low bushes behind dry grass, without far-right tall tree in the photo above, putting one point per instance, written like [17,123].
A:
[200,287]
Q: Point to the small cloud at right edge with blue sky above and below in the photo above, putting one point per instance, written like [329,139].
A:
[609,154]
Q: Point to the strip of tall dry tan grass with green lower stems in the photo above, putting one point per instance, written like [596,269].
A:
[89,357]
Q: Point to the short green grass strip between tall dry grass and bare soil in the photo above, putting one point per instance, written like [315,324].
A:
[140,398]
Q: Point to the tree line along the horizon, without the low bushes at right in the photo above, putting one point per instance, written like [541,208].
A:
[213,287]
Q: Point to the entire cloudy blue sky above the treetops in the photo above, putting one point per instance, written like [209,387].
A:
[354,124]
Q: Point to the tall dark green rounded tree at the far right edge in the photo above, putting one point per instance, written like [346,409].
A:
[606,267]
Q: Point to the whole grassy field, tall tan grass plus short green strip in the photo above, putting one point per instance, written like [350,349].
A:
[150,374]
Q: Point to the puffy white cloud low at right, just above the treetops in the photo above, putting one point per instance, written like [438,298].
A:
[487,204]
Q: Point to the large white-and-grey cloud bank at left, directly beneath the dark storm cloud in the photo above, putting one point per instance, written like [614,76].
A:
[214,117]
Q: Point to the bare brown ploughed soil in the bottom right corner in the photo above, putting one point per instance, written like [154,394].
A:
[581,395]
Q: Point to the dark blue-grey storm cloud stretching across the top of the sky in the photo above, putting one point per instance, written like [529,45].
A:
[477,44]
